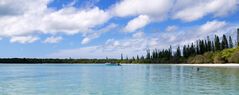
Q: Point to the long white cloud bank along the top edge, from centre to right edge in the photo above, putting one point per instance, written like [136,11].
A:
[186,10]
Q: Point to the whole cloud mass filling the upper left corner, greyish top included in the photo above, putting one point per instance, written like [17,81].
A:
[34,17]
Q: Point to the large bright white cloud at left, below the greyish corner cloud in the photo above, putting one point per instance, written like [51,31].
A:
[54,22]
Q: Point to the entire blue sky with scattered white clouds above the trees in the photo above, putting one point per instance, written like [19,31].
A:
[109,28]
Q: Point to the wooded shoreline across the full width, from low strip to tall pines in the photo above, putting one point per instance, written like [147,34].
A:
[219,50]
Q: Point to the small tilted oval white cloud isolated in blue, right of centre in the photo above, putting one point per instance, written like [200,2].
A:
[137,23]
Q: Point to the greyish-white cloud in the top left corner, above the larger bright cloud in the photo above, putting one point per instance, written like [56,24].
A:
[21,7]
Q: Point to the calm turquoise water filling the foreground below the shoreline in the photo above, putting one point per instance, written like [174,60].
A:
[69,79]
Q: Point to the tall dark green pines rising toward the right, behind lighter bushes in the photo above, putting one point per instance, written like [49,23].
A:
[182,54]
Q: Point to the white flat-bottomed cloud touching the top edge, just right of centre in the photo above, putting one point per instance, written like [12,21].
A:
[152,8]
